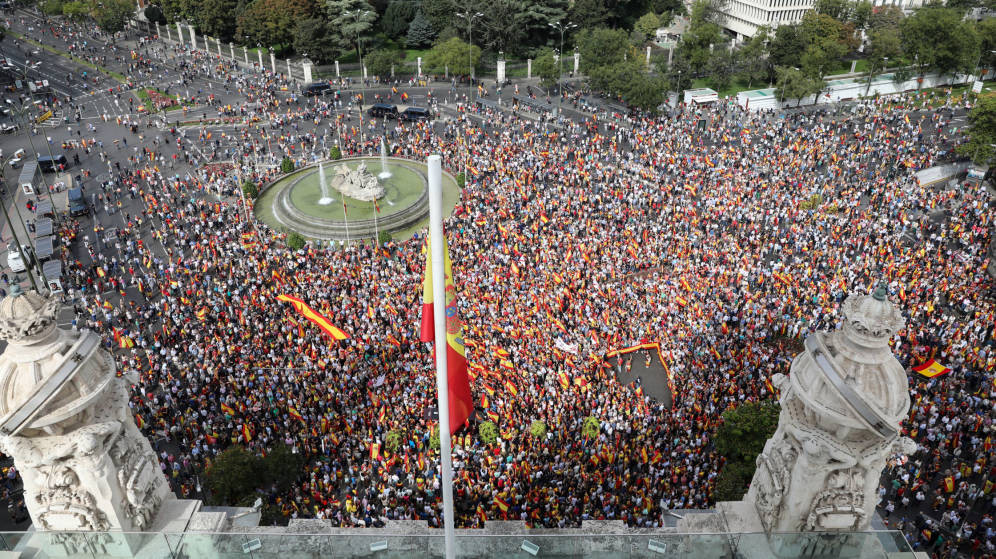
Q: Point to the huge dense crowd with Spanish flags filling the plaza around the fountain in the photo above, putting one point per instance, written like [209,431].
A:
[723,235]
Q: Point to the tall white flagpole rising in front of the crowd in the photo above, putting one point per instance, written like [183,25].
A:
[439,322]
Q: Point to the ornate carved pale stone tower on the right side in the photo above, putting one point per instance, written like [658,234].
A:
[841,410]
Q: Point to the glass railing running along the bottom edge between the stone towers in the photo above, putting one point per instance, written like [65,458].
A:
[273,545]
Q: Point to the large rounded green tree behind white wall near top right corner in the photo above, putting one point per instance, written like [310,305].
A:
[940,40]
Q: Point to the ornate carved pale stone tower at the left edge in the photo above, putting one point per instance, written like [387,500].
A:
[64,418]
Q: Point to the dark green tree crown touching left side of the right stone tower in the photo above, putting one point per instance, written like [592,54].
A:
[744,430]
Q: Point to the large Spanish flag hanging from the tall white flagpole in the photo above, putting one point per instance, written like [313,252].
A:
[461,403]
